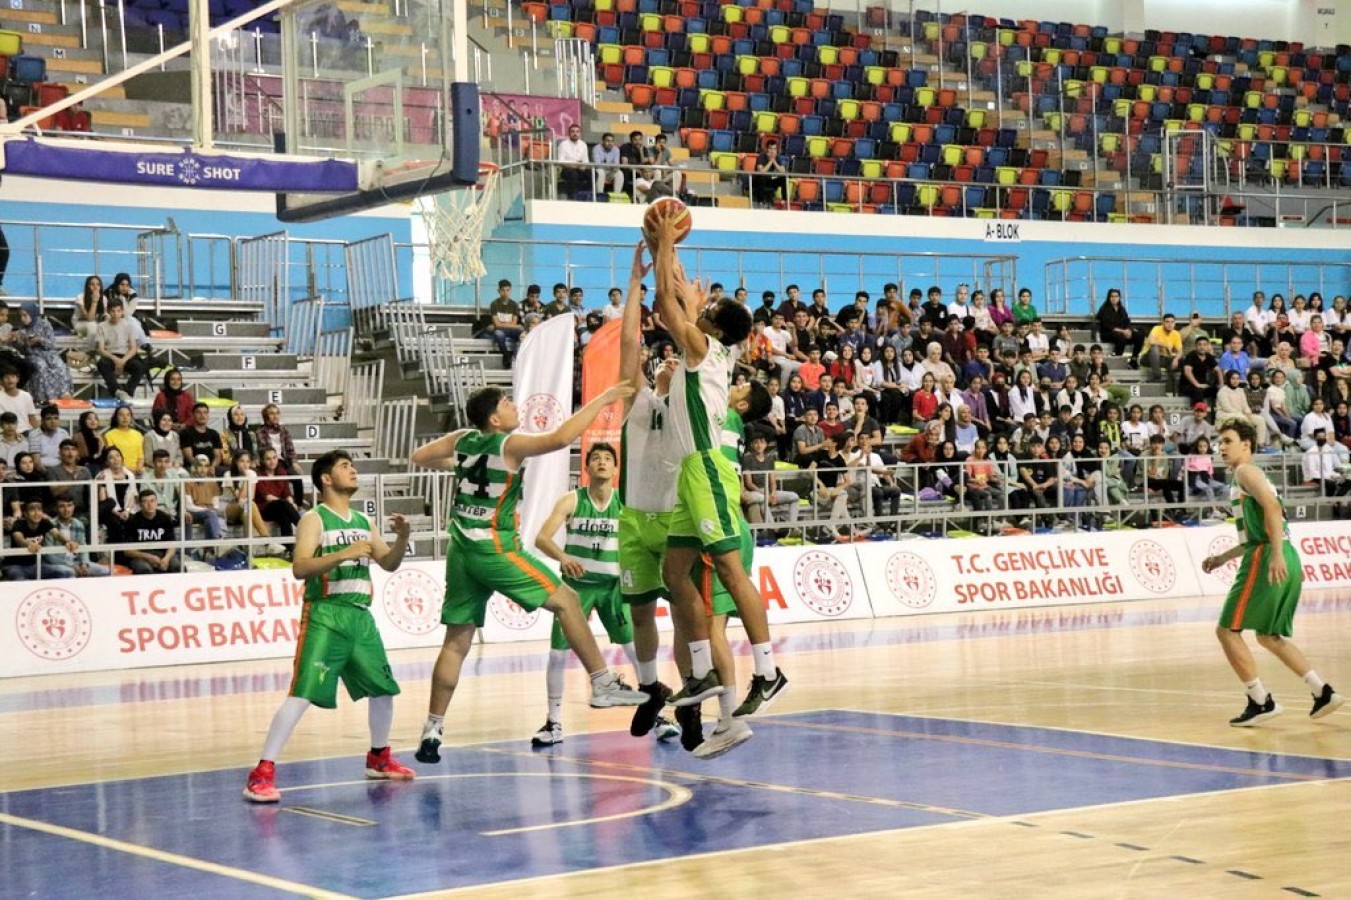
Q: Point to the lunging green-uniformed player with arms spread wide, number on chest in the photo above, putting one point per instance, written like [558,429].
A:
[486,552]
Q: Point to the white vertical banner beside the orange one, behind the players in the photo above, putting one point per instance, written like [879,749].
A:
[544,393]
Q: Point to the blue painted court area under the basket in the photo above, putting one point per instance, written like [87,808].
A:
[499,813]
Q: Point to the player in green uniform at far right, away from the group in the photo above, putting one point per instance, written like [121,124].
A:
[1267,590]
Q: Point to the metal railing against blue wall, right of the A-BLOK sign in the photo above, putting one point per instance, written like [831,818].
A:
[1217,289]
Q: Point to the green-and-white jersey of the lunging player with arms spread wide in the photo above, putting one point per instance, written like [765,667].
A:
[483,516]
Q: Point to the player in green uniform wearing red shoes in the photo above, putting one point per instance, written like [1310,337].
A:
[336,547]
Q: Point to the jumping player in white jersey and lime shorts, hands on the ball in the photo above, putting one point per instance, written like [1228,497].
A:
[707,517]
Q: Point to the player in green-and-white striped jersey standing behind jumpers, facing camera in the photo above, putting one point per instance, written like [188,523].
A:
[590,561]
